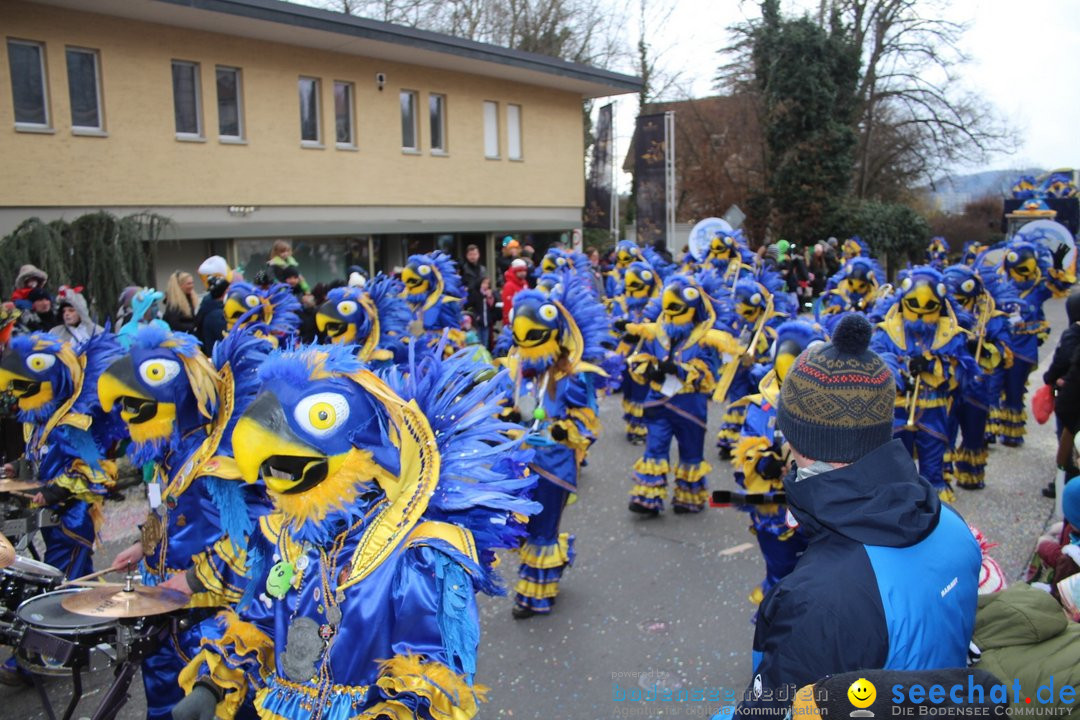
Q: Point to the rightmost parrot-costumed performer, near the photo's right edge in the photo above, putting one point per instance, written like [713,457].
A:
[1036,276]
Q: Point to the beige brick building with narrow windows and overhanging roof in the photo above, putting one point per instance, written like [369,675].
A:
[245,121]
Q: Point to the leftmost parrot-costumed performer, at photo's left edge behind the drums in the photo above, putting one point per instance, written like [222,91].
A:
[71,440]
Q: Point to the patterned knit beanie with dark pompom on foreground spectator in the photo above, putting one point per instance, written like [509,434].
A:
[836,403]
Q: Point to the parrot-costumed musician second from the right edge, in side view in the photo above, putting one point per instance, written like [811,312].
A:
[985,302]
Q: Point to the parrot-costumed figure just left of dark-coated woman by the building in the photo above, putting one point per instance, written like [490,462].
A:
[435,293]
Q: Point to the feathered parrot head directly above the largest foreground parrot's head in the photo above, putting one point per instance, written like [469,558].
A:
[373,319]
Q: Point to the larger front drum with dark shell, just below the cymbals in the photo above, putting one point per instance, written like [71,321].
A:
[57,642]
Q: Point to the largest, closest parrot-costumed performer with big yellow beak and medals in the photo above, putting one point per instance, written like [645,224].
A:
[393,495]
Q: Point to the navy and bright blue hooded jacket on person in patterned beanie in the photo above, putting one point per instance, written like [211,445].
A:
[889,580]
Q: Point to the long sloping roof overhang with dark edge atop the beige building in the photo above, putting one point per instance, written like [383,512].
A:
[296,25]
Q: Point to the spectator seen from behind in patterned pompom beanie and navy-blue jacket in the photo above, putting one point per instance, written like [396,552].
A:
[890,577]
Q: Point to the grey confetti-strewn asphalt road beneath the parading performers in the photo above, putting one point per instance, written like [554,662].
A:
[650,603]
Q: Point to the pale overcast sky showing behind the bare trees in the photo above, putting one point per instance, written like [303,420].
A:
[1023,61]
